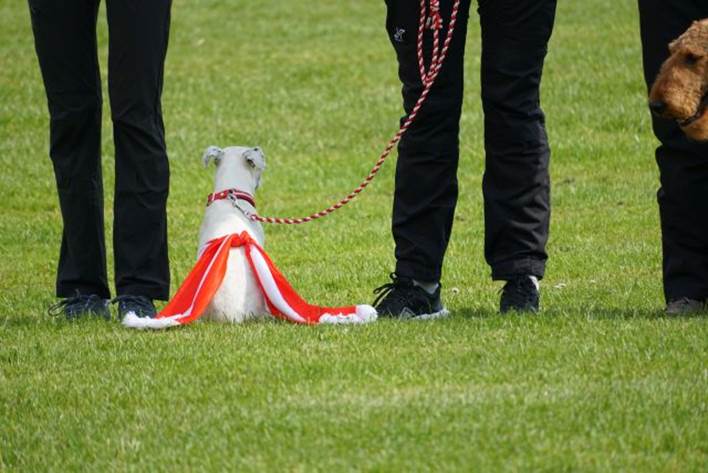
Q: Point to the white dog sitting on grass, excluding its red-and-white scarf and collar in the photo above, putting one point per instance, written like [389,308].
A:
[239,297]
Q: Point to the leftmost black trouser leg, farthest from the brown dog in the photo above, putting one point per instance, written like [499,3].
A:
[65,41]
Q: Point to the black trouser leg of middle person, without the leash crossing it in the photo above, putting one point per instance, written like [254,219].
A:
[516,184]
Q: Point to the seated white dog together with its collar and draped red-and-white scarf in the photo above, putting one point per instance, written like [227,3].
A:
[234,279]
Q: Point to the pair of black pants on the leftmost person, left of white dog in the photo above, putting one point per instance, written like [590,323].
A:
[65,41]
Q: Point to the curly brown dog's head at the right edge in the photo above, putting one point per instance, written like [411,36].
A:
[680,91]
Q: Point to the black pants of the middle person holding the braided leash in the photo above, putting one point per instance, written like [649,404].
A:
[516,186]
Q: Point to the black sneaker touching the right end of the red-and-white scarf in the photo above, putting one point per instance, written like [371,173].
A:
[404,300]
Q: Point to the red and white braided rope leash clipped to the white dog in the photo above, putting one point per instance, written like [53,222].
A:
[434,22]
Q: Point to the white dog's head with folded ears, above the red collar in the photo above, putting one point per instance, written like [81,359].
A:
[236,167]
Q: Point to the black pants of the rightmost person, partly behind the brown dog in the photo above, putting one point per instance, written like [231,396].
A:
[683,164]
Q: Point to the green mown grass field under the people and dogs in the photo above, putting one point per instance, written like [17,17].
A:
[599,381]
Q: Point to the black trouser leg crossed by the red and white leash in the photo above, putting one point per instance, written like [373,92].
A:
[426,171]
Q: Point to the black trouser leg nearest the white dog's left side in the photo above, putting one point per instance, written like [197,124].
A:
[138,36]
